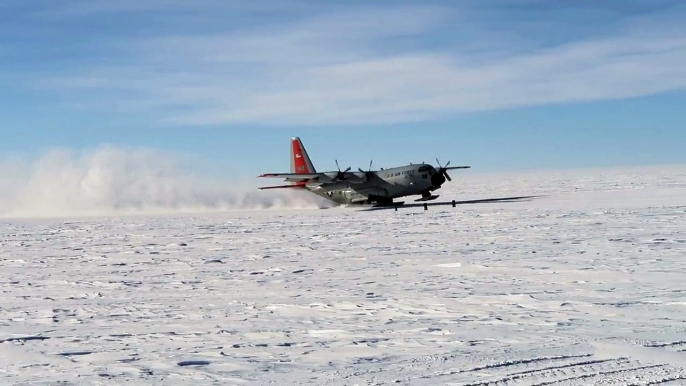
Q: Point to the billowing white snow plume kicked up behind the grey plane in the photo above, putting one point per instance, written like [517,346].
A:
[112,180]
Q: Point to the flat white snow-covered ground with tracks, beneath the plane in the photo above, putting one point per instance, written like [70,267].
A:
[584,286]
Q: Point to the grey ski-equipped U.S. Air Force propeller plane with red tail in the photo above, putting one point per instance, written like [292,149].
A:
[371,187]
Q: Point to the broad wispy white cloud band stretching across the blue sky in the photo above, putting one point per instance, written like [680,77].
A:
[378,65]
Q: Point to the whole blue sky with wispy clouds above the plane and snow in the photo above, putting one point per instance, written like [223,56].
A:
[496,84]
